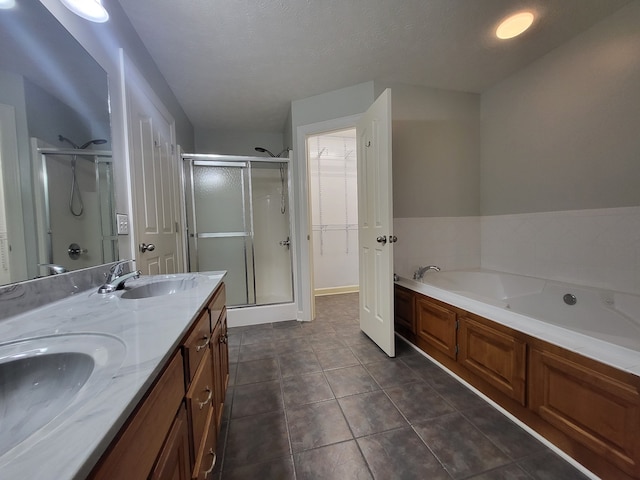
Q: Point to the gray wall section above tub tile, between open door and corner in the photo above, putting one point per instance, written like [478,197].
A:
[436,152]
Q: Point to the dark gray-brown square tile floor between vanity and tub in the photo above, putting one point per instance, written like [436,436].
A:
[319,400]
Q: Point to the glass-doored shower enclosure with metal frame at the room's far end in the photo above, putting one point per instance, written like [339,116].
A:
[238,220]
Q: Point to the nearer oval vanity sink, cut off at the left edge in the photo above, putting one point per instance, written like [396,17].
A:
[41,378]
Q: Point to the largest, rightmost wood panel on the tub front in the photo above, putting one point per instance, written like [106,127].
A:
[590,402]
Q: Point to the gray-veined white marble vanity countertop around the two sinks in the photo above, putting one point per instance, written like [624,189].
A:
[144,332]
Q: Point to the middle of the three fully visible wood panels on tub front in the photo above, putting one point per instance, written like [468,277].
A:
[494,354]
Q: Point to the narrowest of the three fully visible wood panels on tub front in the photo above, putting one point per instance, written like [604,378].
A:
[436,326]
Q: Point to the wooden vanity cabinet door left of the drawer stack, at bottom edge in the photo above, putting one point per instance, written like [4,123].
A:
[173,462]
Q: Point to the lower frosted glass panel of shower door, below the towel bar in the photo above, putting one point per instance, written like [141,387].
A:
[226,254]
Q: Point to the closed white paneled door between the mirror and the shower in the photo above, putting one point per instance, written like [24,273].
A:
[154,168]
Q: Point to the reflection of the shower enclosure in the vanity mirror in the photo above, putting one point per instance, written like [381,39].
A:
[74,207]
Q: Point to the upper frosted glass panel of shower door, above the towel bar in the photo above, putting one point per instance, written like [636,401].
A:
[219,199]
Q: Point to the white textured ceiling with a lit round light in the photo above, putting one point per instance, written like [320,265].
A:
[238,64]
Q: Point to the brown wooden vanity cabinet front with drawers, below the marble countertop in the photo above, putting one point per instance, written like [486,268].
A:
[172,434]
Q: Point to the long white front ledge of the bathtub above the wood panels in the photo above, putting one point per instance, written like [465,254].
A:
[616,356]
